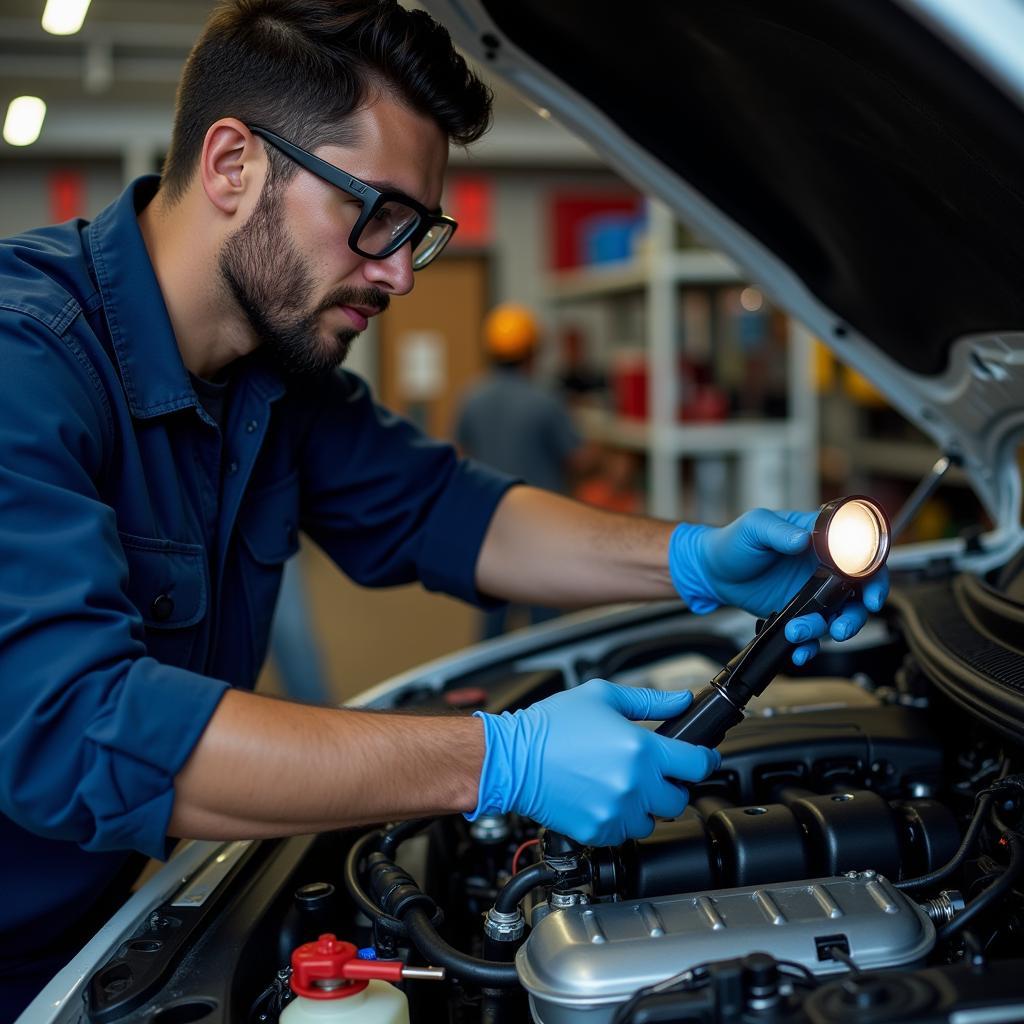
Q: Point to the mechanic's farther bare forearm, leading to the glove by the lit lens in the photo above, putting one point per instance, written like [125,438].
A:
[545,549]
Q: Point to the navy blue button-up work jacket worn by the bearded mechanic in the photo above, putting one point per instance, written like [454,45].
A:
[142,550]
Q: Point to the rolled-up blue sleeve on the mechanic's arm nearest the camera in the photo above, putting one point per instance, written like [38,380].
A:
[94,732]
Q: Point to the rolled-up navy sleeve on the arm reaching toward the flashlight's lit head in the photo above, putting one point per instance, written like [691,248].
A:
[391,505]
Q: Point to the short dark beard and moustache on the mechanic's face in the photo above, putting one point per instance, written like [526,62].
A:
[274,286]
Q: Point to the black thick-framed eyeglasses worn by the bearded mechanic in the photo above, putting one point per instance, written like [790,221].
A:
[389,220]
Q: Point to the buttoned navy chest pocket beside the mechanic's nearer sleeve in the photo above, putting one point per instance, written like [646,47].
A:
[167,583]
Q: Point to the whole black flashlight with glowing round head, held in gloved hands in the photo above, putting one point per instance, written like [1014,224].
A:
[851,538]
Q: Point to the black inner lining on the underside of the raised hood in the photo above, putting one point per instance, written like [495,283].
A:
[879,166]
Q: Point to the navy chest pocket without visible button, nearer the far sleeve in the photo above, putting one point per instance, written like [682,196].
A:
[269,527]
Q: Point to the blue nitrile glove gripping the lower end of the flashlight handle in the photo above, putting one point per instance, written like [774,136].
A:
[576,763]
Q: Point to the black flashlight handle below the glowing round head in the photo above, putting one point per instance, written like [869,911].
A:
[720,705]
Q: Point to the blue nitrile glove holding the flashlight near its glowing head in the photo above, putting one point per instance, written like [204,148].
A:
[758,563]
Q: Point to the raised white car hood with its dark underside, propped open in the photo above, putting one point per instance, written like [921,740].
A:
[863,162]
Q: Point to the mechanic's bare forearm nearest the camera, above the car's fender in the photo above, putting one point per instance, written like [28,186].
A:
[267,767]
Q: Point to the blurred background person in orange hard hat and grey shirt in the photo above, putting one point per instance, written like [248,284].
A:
[511,423]
